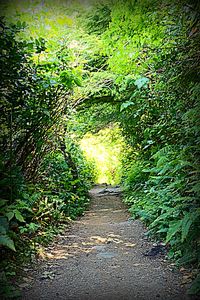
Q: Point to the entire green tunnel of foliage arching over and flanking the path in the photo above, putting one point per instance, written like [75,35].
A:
[70,69]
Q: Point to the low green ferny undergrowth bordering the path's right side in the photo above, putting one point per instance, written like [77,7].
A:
[164,194]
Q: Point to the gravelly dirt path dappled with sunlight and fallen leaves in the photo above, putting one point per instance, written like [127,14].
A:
[102,257]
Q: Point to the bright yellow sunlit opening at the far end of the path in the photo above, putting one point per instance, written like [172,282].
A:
[104,150]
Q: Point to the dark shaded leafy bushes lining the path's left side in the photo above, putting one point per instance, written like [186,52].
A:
[44,178]
